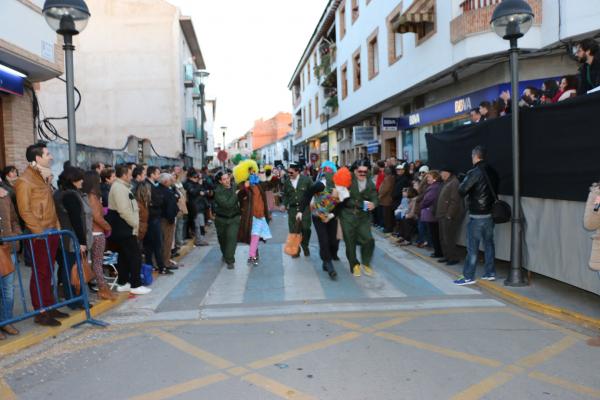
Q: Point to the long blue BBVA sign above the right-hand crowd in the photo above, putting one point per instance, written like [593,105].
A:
[461,105]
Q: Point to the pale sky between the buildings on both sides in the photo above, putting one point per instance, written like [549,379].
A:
[251,49]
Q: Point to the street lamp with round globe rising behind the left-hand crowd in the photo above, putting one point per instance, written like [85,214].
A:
[68,18]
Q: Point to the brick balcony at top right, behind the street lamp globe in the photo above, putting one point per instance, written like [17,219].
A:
[476,16]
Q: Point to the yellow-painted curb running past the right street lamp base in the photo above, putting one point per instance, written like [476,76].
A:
[525,302]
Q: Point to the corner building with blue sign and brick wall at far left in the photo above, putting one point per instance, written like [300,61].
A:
[30,52]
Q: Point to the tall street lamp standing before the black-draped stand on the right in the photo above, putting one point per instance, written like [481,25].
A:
[511,20]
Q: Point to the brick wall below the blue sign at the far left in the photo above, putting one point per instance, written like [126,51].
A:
[17,112]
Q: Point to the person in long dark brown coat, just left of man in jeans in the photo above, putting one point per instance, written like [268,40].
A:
[450,211]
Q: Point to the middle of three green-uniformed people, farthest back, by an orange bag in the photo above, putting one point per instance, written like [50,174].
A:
[294,189]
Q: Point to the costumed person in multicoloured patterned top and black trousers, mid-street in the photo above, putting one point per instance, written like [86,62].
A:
[323,198]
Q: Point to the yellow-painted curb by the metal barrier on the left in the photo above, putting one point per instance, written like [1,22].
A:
[39,335]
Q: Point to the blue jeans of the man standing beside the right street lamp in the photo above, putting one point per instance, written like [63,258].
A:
[479,230]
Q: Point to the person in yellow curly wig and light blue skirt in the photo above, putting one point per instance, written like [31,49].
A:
[254,223]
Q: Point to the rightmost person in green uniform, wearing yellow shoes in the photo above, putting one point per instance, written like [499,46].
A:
[355,218]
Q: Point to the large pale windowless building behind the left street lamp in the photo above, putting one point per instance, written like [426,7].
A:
[134,66]
